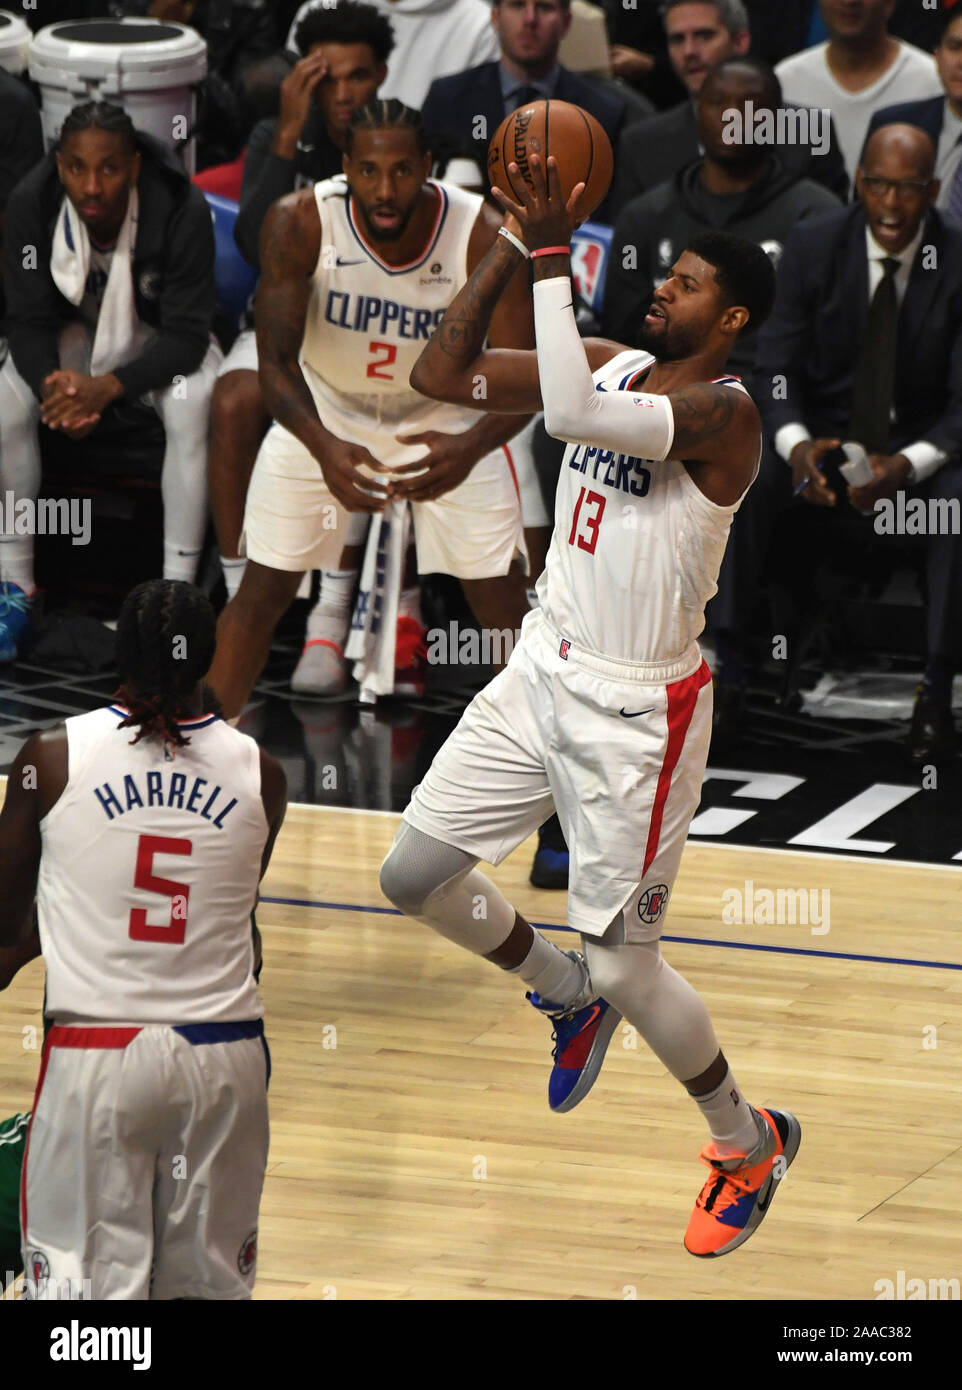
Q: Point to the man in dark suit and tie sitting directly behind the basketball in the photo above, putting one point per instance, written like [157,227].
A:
[469,108]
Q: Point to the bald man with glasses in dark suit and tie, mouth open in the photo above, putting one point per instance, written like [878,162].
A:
[865,344]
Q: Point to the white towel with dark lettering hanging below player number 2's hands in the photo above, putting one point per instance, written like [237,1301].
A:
[373,629]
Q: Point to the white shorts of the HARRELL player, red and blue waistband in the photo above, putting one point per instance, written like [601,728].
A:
[145,1163]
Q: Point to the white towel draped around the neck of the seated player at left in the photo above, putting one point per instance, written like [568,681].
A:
[119,334]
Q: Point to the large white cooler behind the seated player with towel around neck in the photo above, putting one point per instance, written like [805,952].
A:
[149,67]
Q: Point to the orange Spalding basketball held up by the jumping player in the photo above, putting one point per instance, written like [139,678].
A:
[571,136]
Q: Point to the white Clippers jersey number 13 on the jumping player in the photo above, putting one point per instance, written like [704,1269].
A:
[637,547]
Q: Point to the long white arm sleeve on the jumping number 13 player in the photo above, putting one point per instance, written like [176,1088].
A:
[625,422]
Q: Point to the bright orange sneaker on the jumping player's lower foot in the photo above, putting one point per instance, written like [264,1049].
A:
[740,1191]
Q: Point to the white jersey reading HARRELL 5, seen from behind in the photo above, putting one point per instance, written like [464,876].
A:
[149,875]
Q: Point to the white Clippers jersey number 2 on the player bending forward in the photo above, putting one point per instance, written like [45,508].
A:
[368,322]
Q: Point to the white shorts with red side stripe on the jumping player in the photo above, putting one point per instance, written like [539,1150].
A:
[619,751]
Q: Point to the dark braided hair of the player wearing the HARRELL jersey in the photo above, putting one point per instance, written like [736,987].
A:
[166,637]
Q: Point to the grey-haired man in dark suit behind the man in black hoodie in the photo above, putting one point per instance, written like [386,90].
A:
[701,35]
